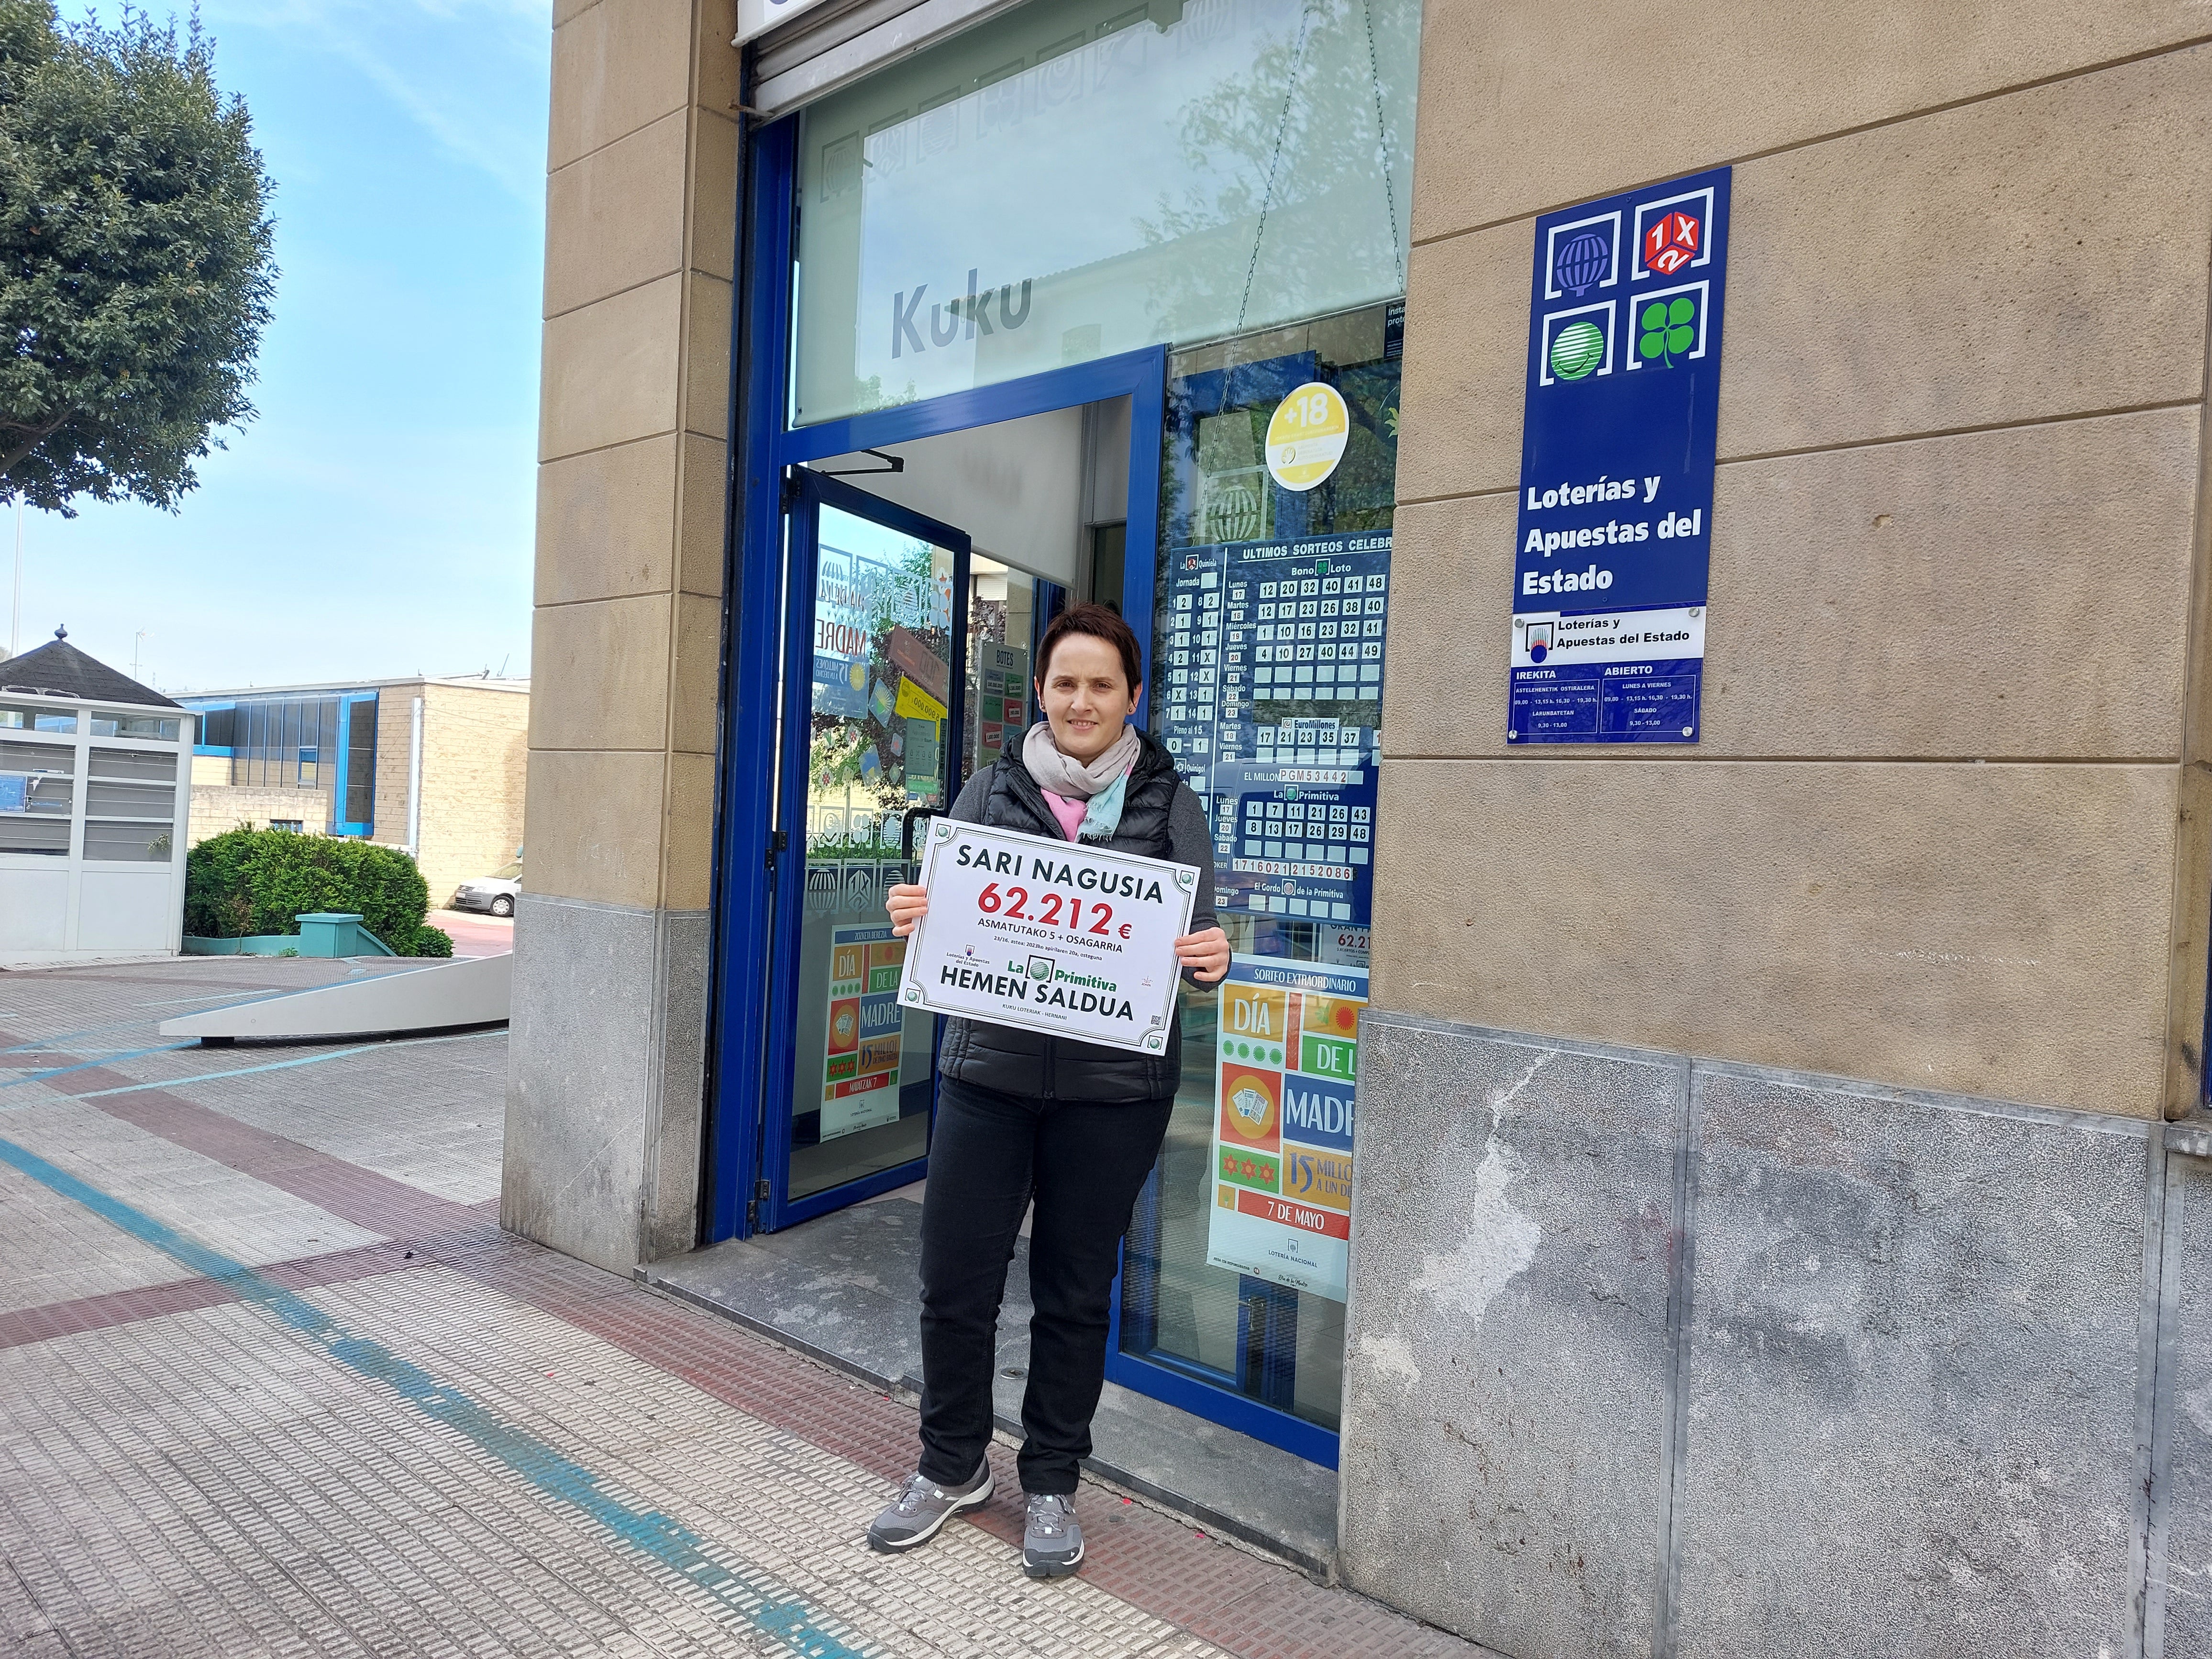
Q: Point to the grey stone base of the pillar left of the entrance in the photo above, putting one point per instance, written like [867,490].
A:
[605,1096]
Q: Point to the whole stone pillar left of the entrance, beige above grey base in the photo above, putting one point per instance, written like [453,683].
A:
[627,645]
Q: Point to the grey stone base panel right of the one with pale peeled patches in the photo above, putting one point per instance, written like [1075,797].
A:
[1912,1379]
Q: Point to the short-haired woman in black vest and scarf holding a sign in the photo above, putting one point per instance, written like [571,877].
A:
[1025,1116]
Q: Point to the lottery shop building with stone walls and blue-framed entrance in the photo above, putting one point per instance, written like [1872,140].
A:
[1780,1215]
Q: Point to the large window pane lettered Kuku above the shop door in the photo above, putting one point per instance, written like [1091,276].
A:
[1083,178]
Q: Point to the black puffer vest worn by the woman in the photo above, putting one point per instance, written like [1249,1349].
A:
[1027,1063]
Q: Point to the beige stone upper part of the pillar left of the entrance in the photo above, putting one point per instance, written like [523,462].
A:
[634,441]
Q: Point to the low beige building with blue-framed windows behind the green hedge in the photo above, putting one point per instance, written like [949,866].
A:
[428,764]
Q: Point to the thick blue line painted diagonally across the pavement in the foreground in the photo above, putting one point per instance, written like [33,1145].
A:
[740,1589]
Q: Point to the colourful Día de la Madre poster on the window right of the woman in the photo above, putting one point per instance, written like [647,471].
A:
[1286,1074]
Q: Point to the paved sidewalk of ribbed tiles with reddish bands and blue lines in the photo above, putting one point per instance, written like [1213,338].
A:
[275,1384]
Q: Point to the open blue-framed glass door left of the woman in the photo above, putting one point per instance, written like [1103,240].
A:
[870,747]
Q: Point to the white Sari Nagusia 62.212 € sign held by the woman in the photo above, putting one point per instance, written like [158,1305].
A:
[1050,937]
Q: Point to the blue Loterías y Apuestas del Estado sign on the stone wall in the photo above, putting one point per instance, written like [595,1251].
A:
[1618,446]
